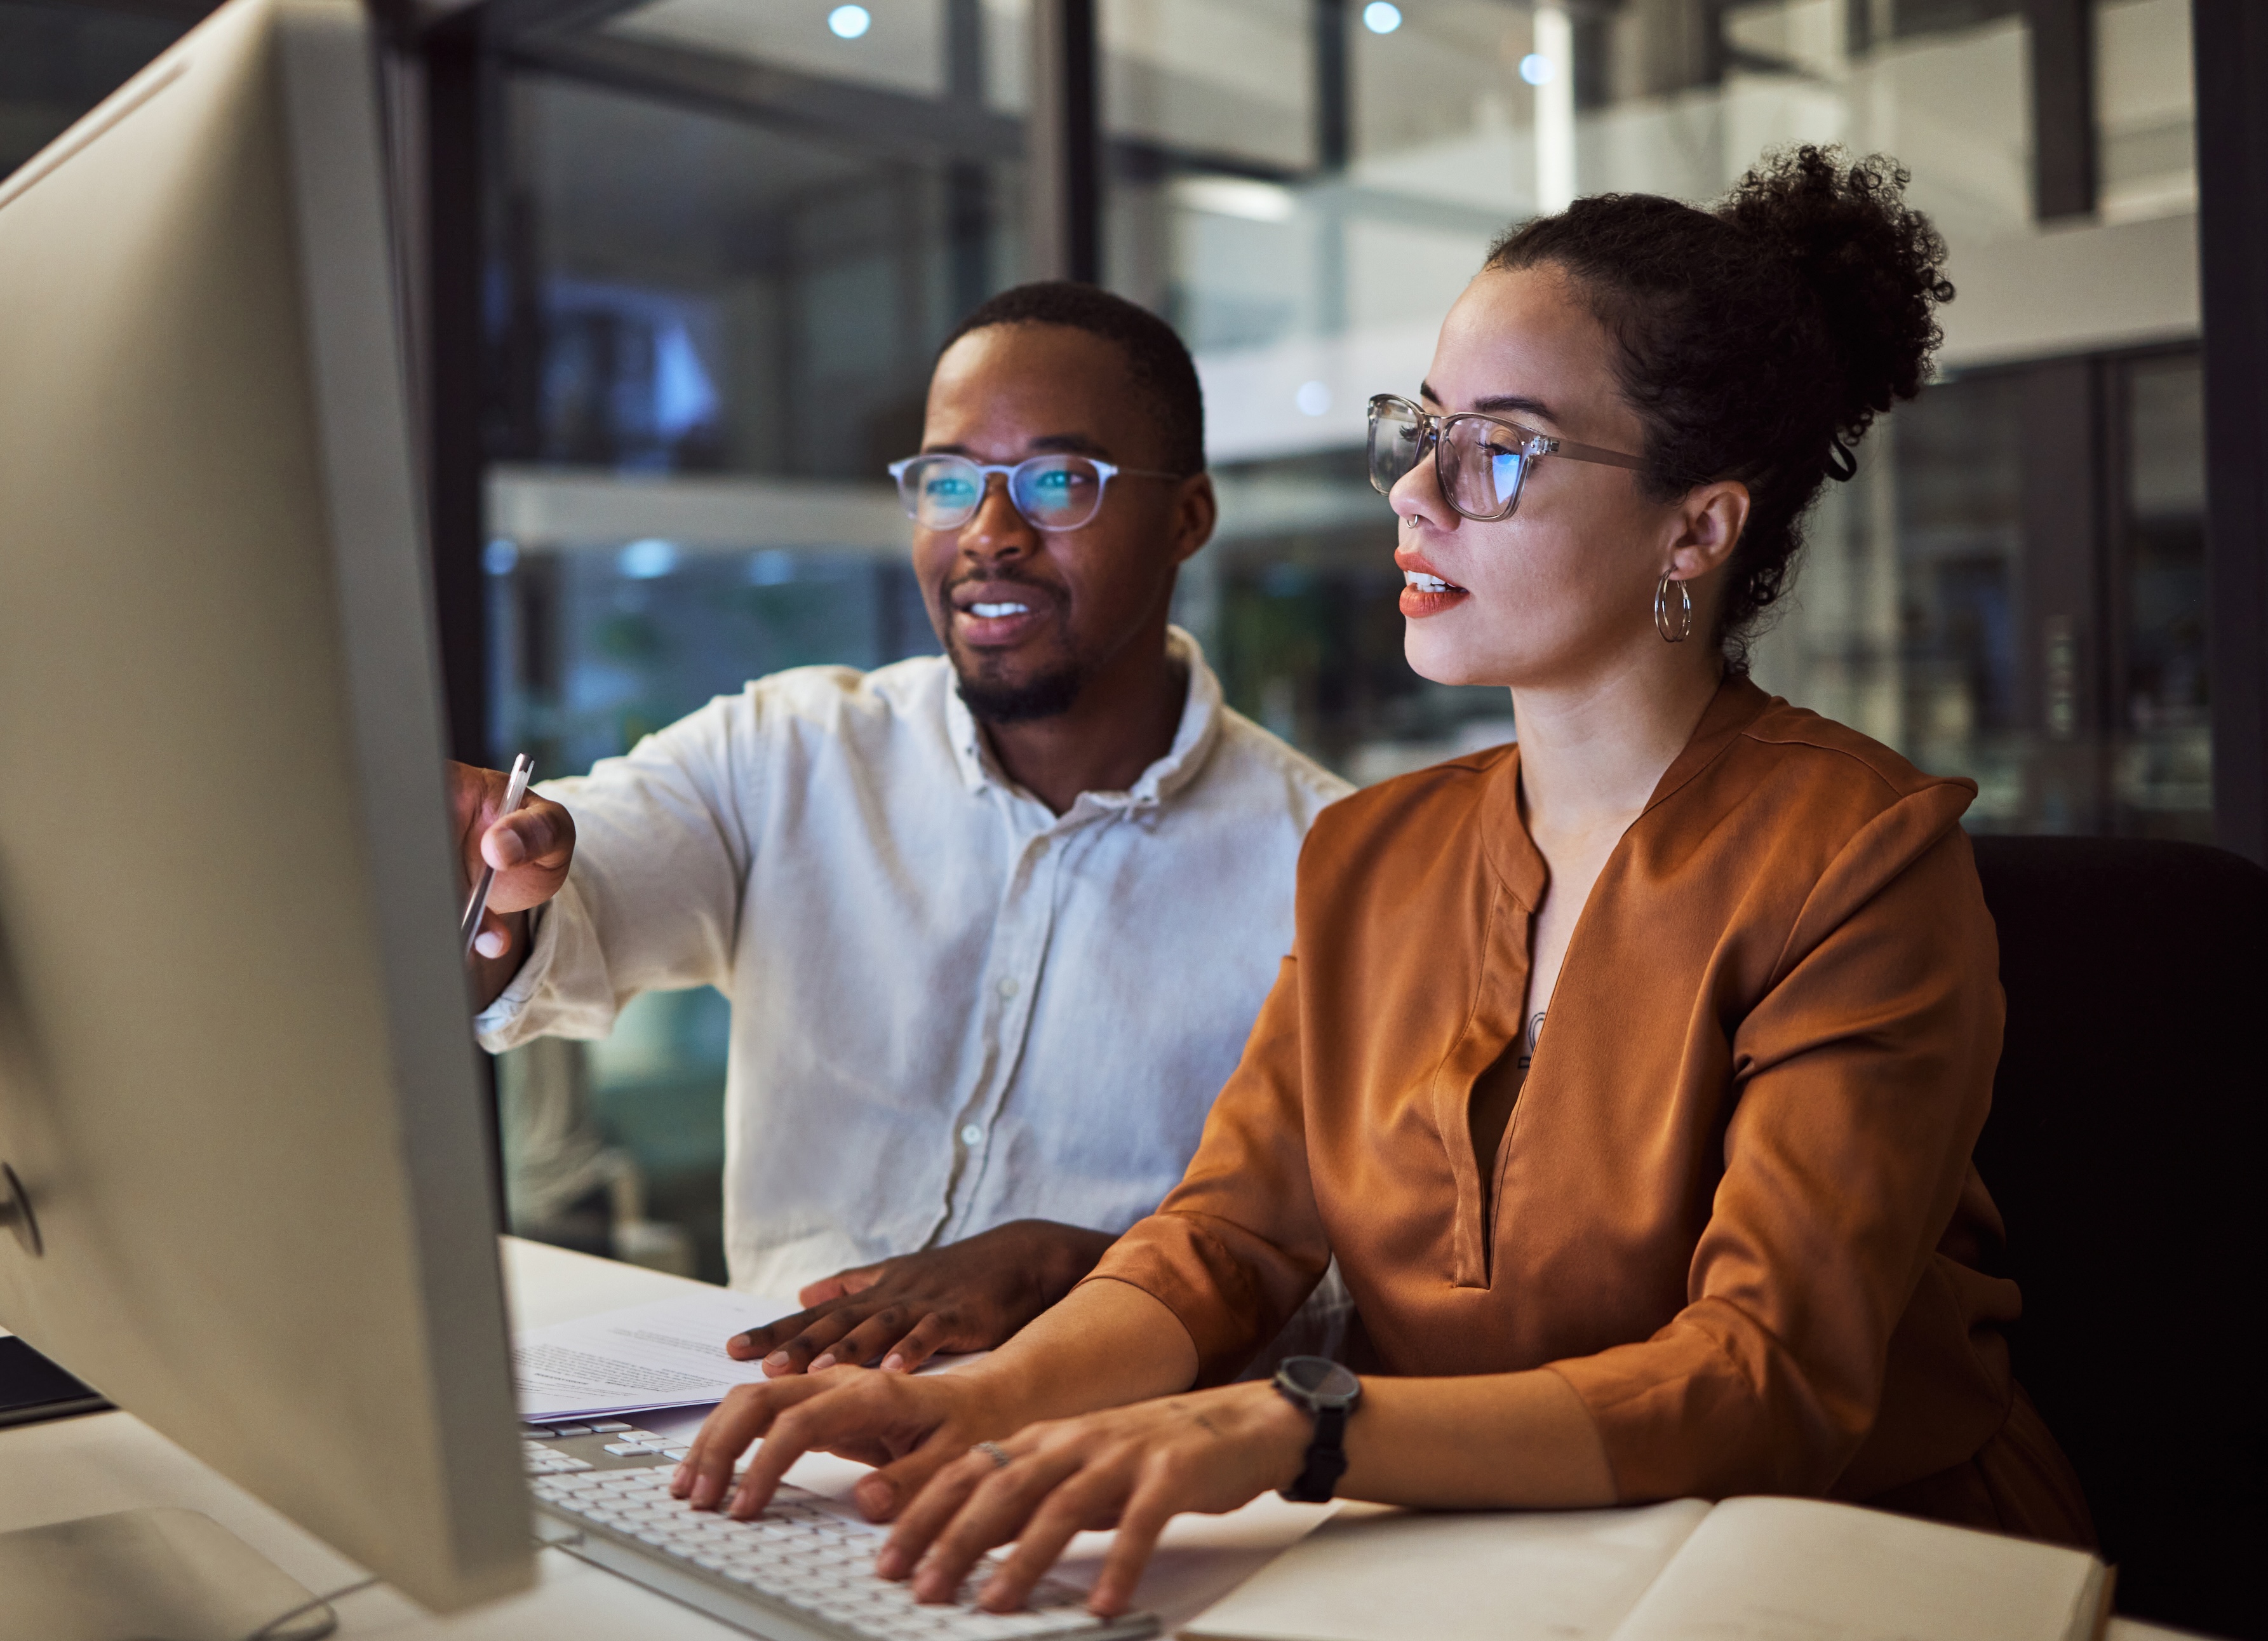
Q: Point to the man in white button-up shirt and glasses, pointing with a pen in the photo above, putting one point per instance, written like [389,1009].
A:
[995,925]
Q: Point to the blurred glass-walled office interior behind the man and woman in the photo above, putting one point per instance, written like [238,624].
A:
[682,269]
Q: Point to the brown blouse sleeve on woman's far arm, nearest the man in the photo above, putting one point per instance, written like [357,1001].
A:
[1239,1245]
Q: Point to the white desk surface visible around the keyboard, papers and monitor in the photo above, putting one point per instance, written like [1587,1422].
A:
[99,1463]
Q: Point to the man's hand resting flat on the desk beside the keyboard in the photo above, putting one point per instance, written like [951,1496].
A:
[899,1313]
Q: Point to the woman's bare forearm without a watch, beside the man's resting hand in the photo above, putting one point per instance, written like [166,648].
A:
[1106,1345]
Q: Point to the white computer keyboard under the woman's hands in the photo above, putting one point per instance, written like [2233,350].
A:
[802,1572]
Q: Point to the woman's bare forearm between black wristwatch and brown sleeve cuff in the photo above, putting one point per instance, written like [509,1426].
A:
[1496,1442]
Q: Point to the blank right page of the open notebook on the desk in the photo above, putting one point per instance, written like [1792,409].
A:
[1793,1570]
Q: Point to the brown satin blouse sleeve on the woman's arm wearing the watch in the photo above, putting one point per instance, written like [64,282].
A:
[1861,1086]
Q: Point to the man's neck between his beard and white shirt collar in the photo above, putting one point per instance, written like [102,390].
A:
[1124,721]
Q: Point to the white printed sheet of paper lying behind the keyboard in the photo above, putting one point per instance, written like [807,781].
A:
[666,1354]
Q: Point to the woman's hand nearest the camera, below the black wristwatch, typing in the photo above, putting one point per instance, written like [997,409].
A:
[1131,1470]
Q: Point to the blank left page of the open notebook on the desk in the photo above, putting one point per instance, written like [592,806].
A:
[1500,1576]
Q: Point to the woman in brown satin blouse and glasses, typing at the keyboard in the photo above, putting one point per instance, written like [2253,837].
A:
[1630,1072]
